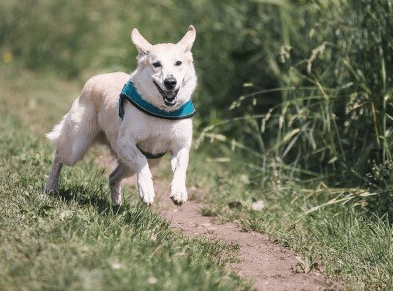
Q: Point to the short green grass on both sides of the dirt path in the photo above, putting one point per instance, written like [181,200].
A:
[77,240]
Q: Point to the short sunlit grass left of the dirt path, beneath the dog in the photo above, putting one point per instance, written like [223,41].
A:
[75,239]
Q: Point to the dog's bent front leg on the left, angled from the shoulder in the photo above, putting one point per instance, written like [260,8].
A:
[135,161]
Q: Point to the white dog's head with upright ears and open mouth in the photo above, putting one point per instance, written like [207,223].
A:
[165,76]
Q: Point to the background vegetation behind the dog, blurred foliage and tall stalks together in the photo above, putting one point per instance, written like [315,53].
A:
[302,88]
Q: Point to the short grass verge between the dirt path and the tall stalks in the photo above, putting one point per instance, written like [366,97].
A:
[346,241]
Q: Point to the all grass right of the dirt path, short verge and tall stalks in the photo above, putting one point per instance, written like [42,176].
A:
[331,125]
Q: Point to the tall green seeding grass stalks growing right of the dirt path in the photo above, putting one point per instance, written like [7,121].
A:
[332,120]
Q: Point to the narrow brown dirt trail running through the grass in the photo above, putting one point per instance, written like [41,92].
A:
[270,266]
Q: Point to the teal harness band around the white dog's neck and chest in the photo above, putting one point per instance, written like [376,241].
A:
[129,92]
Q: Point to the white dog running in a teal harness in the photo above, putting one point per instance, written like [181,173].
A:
[139,116]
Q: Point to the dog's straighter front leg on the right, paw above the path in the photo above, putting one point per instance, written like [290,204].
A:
[179,163]
